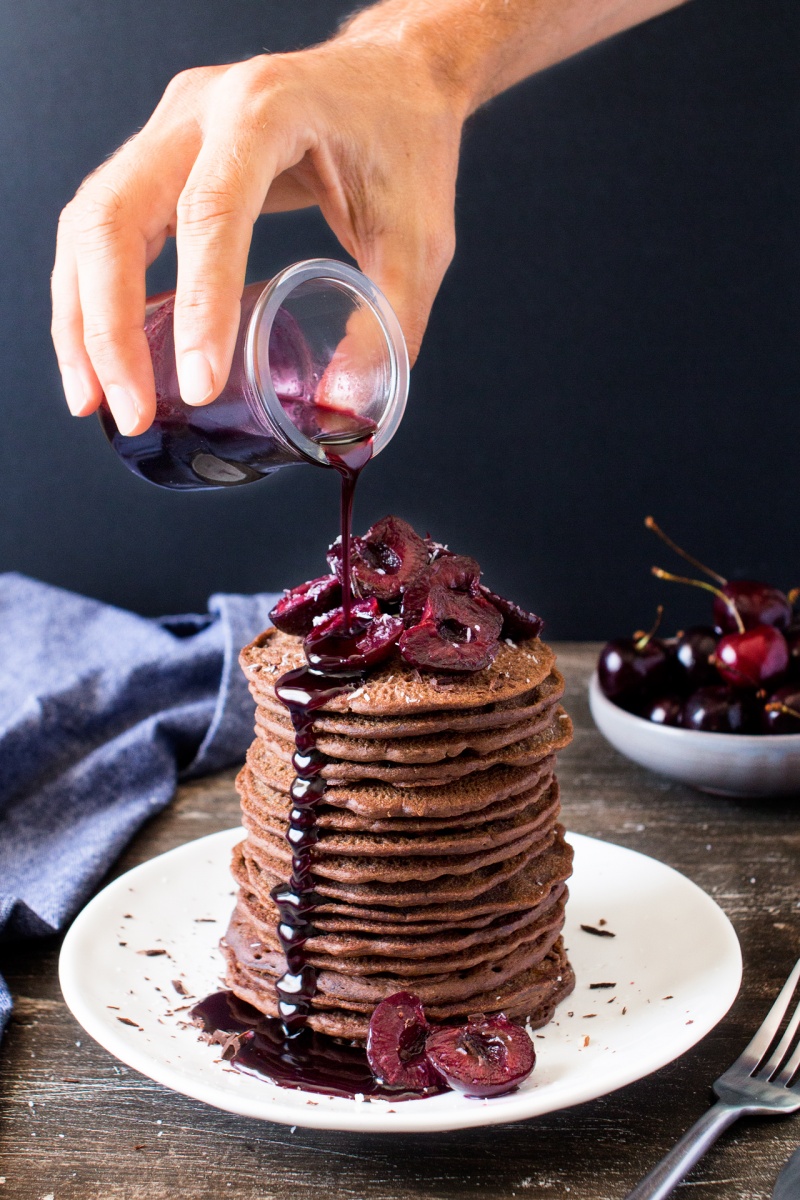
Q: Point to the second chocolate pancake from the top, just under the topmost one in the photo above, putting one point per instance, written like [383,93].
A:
[412,725]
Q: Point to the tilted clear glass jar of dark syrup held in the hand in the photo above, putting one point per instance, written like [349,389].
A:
[321,361]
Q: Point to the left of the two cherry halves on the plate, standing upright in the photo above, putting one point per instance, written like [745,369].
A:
[396,1045]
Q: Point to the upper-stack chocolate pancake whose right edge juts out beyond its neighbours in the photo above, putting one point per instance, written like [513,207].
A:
[520,754]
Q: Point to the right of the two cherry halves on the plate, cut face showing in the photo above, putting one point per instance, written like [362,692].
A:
[489,1057]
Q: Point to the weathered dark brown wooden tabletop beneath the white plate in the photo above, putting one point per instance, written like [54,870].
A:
[75,1124]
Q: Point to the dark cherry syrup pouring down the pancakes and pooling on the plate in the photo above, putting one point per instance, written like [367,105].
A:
[285,1051]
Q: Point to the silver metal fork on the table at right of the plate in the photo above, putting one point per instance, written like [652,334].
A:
[754,1087]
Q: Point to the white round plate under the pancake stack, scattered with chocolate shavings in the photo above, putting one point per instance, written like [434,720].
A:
[675,962]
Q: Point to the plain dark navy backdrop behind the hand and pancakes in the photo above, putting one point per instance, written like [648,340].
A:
[618,334]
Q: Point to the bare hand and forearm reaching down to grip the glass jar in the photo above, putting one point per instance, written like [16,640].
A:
[368,127]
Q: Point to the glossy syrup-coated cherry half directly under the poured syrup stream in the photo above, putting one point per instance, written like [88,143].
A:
[369,639]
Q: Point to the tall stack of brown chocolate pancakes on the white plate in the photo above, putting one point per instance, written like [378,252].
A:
[441,866]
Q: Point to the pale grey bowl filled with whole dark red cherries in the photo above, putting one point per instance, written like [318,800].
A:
[718,706]
